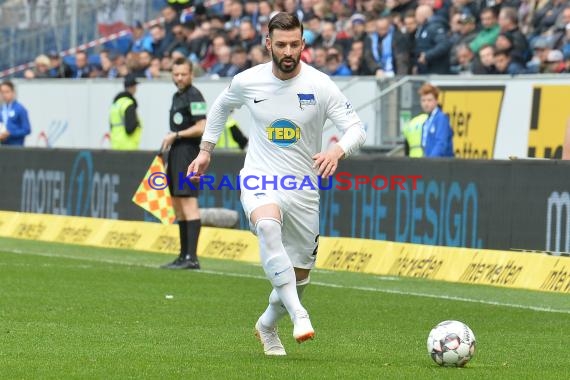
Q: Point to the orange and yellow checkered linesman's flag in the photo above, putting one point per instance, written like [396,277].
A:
[153,194]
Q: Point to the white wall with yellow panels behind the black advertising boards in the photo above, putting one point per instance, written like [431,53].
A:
[493,117]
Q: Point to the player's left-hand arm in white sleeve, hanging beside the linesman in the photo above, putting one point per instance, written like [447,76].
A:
[230,98]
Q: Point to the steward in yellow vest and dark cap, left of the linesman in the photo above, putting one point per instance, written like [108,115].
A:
[126,127]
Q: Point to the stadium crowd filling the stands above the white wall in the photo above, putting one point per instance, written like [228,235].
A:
[350,37]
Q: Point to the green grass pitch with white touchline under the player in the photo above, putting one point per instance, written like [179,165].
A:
[76,312]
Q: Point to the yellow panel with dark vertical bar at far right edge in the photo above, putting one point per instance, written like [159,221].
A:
[549,115]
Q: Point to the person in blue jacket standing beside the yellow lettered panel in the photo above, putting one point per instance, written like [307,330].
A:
[437,135]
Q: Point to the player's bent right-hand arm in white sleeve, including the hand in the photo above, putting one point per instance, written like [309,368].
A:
[339,110]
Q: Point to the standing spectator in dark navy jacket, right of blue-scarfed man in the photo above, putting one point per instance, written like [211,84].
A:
[432,45]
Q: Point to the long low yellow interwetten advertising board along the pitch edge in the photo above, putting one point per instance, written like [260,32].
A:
[466,265]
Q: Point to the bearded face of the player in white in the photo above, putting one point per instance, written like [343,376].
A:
[286,48]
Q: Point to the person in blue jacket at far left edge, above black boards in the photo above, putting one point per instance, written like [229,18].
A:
[13,117]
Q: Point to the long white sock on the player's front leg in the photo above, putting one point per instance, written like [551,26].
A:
[277,267]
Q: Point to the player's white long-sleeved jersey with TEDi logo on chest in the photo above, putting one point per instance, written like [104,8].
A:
[288,117]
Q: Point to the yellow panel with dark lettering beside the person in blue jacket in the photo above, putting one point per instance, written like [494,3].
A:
[474,117]
